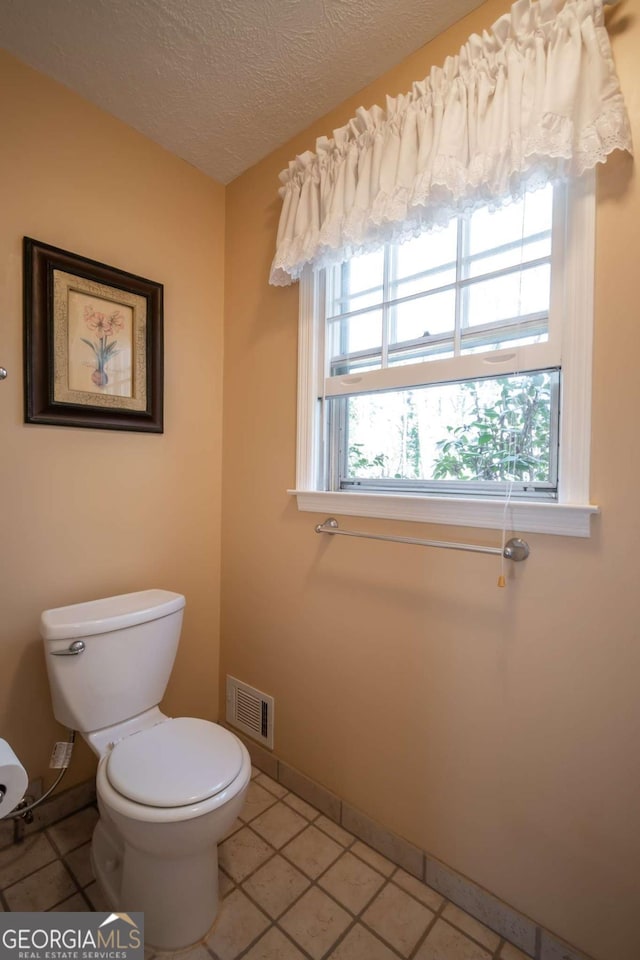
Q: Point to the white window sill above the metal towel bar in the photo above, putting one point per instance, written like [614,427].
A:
[569,520]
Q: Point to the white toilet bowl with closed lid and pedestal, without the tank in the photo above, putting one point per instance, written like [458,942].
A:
[167,795]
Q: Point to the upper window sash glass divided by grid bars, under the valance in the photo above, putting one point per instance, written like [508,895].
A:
[479,285]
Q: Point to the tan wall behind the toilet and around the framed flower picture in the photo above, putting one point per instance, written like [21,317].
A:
[89,513]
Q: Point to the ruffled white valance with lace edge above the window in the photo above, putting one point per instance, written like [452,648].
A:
[534,99]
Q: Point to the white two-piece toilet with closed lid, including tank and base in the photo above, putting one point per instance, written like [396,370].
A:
[168,789]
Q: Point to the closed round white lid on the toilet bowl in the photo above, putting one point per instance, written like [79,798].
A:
[175,763]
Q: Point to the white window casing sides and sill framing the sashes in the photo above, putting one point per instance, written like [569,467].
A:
[570,515]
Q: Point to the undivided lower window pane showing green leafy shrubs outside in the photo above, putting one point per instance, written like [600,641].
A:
[494,430]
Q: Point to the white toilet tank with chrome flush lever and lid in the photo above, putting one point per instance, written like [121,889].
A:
[130,643]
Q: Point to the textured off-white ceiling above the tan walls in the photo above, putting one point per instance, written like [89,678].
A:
[220,83]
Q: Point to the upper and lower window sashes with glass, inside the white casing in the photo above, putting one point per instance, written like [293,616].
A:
[480,290]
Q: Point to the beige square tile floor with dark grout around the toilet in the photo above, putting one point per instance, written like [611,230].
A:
[293,886]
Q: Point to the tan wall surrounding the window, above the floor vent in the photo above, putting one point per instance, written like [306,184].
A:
[497,729]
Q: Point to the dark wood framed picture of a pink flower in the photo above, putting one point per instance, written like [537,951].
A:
[93,343]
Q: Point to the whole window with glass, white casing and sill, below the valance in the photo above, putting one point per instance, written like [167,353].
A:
[442,376]
